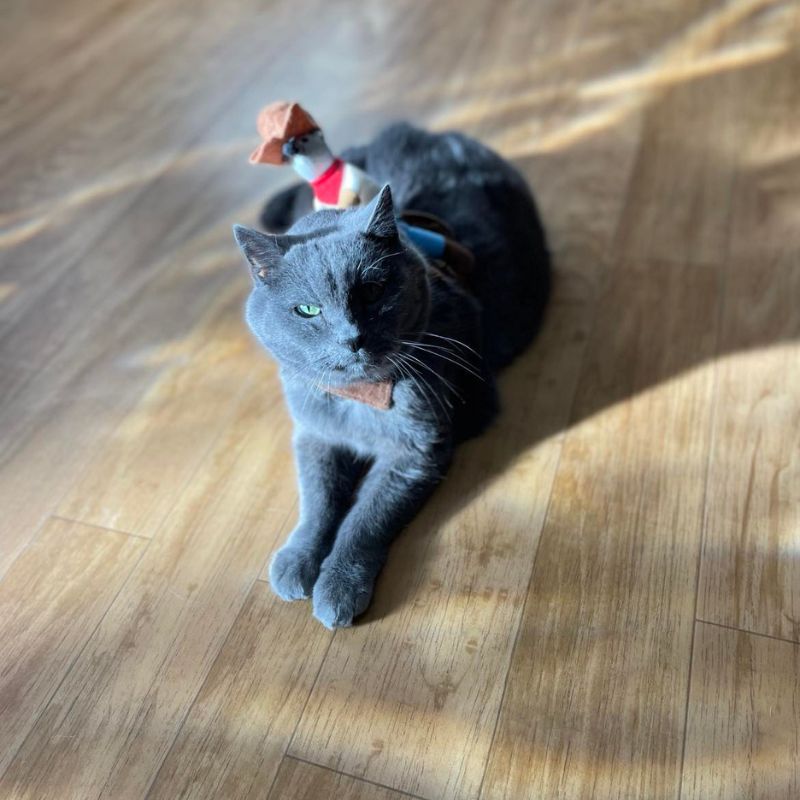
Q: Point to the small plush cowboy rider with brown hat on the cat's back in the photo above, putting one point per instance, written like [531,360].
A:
[291,135]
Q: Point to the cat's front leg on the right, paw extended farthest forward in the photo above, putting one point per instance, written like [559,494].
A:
[391,494]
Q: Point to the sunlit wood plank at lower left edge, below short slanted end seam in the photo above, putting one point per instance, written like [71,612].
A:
[50,603]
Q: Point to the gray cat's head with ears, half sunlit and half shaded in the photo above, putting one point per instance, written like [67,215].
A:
[334,296]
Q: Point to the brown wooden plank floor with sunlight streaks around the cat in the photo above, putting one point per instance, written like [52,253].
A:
[603,599]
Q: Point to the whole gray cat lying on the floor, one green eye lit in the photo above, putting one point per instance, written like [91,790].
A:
[344,300]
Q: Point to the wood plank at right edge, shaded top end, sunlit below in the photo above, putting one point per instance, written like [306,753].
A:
[750,575]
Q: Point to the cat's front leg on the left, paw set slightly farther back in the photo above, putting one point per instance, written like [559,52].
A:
[327,478]
